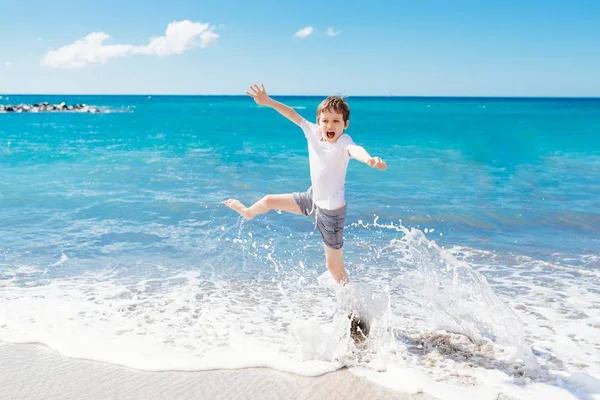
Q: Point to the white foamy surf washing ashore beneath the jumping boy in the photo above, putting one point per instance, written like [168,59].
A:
[442,324]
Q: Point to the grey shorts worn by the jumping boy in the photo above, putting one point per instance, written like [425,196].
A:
[329,222]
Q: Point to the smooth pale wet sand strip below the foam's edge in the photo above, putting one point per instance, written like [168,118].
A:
[37,372]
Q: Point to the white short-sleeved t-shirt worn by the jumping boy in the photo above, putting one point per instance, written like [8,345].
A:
[328,166]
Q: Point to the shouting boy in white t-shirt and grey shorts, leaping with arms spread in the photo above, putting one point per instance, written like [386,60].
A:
[329,151]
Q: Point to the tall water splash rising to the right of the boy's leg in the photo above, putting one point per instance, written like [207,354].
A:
[458,299]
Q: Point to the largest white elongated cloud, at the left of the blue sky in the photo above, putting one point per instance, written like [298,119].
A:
[179,37]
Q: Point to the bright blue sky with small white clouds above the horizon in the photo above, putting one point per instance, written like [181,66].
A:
[379,48]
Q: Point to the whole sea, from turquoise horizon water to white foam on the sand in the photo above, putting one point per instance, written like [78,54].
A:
[475,256]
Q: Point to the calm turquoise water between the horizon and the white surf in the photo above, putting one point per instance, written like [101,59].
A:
[508,175]
